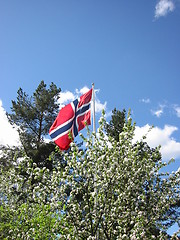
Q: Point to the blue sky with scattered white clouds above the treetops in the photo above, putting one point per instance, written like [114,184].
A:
[129,49]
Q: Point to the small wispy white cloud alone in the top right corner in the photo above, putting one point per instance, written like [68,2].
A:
[163,7]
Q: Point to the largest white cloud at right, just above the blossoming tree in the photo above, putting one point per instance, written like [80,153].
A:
[170,148]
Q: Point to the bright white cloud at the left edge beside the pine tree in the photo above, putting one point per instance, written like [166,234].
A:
[8,134]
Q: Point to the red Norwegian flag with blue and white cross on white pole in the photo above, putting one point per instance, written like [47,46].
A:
[71,119]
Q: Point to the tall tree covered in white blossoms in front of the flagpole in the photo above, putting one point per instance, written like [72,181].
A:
[117,191]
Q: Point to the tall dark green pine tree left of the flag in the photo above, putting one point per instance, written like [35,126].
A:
[33,115]
